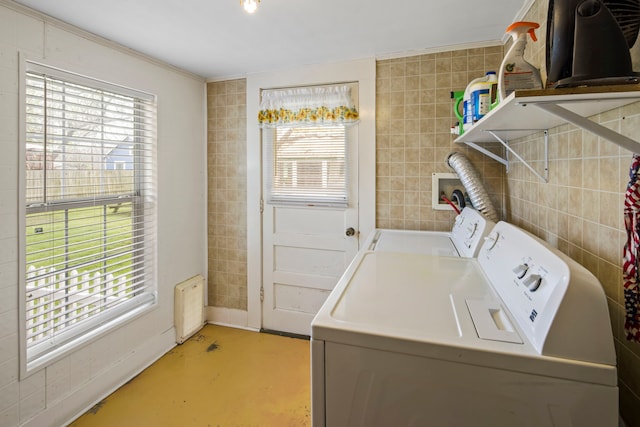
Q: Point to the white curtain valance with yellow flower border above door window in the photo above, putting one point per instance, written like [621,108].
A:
[318,105]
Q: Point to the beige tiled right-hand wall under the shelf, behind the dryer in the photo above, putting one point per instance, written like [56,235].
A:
[580,209]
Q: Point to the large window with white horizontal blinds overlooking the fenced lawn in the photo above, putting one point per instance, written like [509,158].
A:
[89,219]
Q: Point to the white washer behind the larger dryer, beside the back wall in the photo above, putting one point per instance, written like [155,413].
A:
[467,234]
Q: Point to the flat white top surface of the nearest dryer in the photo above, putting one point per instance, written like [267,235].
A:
[410,295]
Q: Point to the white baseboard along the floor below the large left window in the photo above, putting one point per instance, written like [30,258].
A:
[81,400]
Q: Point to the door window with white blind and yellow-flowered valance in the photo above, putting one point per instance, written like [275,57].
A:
[305,130]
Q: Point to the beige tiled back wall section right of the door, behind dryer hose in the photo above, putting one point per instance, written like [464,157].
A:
[414,114]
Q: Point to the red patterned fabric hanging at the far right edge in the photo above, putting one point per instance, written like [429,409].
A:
[631,253]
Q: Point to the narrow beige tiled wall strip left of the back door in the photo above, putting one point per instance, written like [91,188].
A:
[227,188]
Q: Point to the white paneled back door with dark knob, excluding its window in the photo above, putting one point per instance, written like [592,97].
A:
[306,248]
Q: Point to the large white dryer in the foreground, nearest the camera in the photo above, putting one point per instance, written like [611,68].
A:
[519,336]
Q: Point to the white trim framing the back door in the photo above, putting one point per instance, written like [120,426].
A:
[362,71]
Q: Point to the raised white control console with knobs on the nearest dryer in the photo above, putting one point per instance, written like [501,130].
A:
[548,295]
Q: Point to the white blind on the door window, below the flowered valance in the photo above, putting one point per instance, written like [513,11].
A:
[307,165]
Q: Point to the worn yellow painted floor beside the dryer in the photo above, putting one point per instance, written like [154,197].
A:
[219,377]
